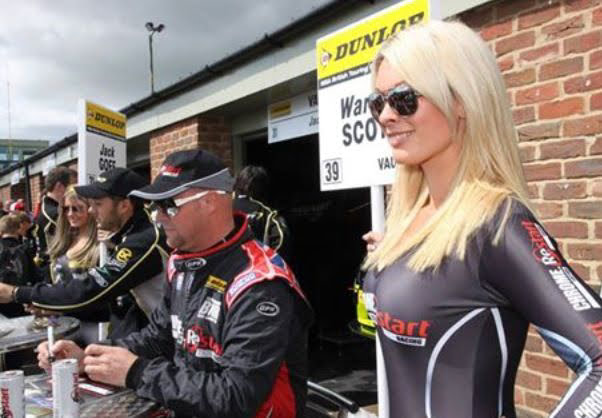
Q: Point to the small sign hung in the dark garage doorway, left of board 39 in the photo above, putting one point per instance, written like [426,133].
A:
[294,117]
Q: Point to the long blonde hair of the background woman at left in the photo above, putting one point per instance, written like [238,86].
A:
[65,235]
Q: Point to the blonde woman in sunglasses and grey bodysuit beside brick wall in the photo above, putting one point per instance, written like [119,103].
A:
[464,266]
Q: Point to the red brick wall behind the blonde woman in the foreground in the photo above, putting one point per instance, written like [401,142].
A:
[550,53]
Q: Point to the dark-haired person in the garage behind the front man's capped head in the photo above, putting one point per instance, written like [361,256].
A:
[251,190]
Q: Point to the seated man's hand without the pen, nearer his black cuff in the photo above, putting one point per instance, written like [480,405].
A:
[108,364]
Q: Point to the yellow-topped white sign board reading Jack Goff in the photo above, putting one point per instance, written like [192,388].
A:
[101,141]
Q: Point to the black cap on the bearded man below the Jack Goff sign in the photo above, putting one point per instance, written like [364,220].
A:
[116,182]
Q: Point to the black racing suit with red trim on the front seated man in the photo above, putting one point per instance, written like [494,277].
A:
[229,339]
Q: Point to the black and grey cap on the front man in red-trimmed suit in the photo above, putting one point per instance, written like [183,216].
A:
[183,170]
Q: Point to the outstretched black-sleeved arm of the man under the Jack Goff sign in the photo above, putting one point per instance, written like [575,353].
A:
[135,260]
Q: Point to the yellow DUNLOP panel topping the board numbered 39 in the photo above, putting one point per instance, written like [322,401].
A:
[356,46]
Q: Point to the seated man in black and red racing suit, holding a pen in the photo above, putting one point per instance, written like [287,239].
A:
[230,336]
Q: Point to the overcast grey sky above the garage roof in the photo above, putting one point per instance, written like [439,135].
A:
[55,52]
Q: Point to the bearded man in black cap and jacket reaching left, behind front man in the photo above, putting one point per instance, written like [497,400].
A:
[132,278]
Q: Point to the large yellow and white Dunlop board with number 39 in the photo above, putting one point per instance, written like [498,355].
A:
[353,149]
